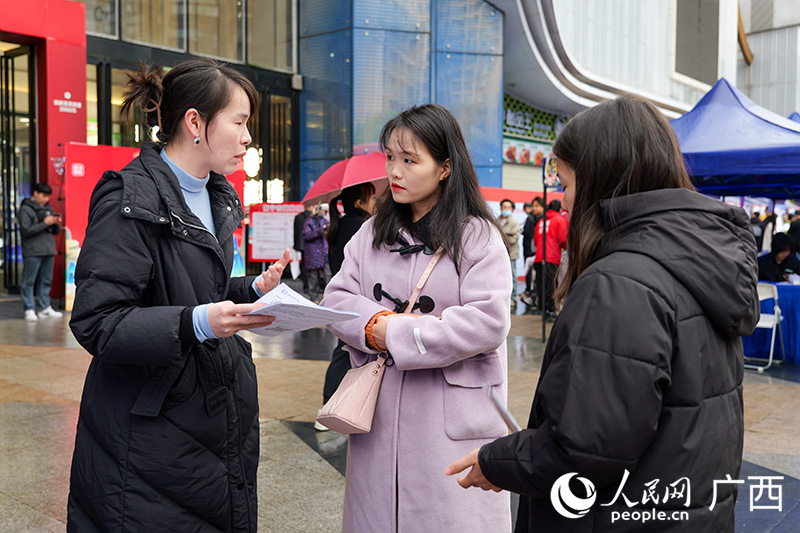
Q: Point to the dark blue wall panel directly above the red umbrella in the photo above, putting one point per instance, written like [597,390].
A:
[325,103]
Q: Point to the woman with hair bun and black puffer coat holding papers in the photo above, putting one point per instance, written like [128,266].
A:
[168,436]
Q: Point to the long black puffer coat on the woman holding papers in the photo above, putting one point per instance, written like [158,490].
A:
[168,431]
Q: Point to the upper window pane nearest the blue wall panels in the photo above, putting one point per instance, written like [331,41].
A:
[269,35]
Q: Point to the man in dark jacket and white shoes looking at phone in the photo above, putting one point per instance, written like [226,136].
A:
[38,224]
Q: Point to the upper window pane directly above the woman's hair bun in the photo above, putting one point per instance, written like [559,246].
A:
[159,23]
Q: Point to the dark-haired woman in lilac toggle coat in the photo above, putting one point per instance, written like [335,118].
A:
[431,405]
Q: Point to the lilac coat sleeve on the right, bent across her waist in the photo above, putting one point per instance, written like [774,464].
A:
[479,325]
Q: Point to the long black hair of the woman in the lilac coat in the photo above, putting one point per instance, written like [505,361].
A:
[459,194]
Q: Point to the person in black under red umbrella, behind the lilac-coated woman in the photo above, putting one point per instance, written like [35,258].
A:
[358,203]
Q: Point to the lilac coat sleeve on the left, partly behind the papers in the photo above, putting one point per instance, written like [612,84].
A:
[344,293]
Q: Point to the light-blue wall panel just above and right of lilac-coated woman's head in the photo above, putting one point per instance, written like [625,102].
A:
[471,87]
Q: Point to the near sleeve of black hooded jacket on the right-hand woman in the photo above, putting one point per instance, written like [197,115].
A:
[600,397]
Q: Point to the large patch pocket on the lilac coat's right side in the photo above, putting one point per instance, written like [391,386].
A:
[468,412]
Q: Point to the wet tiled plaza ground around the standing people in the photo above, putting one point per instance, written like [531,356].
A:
[301,480]
